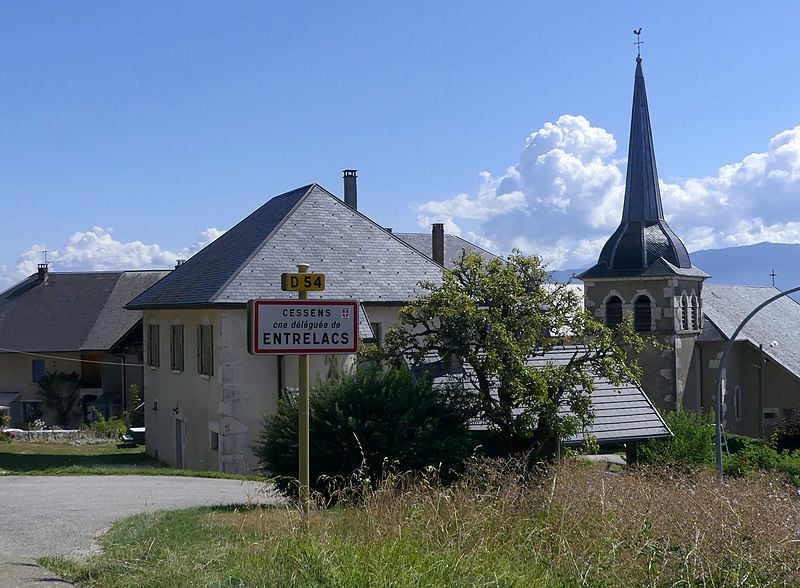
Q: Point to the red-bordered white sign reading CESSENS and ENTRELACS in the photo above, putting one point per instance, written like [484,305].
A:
[302,326]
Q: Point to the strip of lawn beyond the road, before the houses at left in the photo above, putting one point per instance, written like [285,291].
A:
[86,457]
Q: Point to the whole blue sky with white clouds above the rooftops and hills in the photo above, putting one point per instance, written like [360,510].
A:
[134,133]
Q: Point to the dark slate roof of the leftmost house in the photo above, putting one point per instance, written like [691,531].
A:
[71,311]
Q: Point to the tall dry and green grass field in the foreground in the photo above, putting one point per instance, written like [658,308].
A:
[572,525]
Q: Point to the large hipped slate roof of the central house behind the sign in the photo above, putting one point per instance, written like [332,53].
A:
[359,258]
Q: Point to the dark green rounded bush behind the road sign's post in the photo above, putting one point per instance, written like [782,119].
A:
[364,419]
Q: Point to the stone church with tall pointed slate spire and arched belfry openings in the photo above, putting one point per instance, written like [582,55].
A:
[644,272]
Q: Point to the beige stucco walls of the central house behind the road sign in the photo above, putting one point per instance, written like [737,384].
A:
[231,402]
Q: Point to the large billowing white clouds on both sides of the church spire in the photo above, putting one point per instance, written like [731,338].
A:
[563,198]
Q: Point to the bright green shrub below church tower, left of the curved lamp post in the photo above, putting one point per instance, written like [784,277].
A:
[692,442]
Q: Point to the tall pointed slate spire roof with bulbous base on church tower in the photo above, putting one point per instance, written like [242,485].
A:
[643,236]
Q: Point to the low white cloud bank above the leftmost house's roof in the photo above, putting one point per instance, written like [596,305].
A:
[97,250]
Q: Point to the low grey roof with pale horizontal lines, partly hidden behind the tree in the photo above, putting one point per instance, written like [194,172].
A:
[622,413]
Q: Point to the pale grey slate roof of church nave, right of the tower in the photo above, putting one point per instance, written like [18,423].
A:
[776,326]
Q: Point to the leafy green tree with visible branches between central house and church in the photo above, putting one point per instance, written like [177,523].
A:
[491,318]
